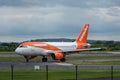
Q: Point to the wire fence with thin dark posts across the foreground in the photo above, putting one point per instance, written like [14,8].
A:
[60,72]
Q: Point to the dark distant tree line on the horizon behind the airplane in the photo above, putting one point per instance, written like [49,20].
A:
[108,45]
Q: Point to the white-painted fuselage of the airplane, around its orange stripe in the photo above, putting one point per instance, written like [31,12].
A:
[36,49]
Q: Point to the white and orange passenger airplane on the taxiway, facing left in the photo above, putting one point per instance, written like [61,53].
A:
[57,50]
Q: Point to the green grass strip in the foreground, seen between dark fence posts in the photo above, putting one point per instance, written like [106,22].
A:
[57,74]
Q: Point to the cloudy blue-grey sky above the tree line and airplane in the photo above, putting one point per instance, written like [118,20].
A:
[22,20]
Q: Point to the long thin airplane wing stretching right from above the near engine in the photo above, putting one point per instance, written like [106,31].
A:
[80,50]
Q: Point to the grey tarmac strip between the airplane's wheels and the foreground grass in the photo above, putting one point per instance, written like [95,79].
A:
[52,65]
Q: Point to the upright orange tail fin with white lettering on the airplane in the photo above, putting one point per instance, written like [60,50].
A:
[82,38]
